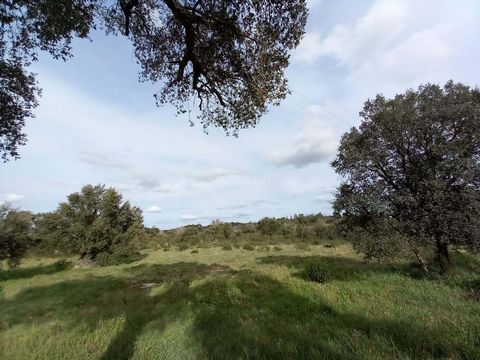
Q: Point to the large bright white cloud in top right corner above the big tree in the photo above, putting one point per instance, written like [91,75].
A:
[399,43]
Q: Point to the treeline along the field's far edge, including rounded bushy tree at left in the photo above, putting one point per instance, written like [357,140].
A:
[97,224]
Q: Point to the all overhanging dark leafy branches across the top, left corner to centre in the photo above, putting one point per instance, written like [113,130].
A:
[227,56]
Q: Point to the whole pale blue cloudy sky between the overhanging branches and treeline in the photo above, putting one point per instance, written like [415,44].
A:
[96,124]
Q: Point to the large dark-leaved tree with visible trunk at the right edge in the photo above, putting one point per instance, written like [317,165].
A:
[412,173]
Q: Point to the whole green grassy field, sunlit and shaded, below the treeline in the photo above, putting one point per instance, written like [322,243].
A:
[239,304]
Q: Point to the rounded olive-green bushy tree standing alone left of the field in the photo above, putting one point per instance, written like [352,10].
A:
[93,221]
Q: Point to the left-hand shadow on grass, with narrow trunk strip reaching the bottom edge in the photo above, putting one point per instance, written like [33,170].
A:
[83,302]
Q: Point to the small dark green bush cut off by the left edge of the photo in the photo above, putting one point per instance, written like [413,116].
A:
[15,234]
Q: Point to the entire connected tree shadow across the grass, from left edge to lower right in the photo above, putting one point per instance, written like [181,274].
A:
[236,315]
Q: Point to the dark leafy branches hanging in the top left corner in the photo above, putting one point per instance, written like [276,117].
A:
[27,27]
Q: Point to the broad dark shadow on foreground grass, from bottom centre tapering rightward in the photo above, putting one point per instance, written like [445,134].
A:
[254,316]
